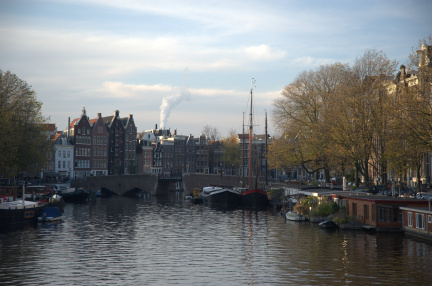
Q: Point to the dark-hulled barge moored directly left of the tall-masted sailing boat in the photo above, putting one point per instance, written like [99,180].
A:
[220,196]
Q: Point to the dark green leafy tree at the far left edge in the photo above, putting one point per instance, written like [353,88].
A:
[23,142]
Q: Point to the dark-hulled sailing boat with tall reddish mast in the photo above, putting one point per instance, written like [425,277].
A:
[253,198]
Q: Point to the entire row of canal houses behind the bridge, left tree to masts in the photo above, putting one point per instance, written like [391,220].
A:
[111,145]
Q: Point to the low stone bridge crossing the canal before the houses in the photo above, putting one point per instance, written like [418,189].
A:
[156,185]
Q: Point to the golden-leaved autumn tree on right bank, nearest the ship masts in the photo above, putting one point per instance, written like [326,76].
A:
[302,113]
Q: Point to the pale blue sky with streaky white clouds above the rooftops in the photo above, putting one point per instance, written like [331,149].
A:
[188,64]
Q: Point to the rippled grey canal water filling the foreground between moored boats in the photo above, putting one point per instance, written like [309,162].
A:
[150,241]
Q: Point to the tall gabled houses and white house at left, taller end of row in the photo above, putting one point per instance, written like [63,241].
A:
[92,147]
